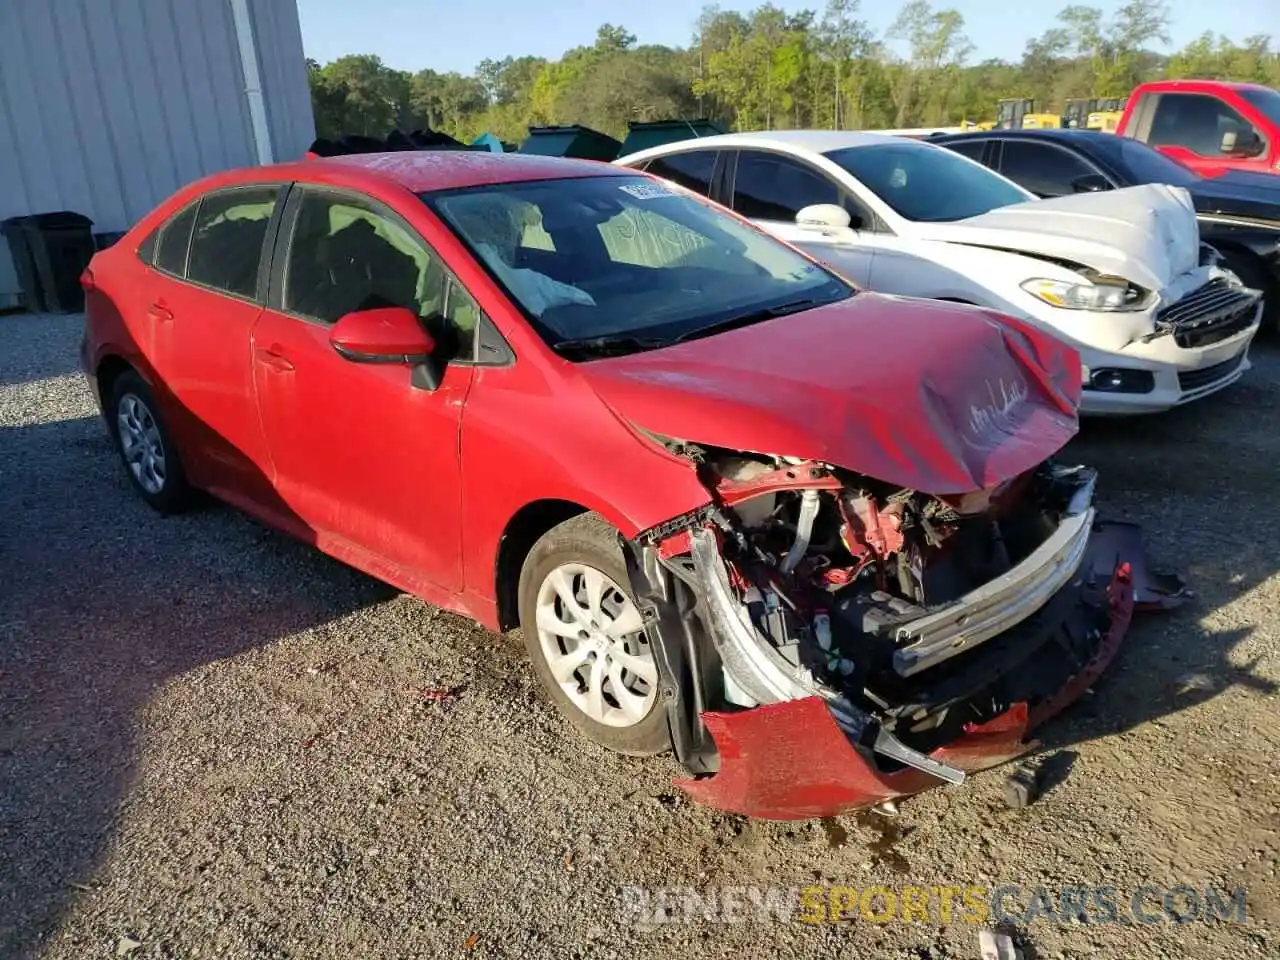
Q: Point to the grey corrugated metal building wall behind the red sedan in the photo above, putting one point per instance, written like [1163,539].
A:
[107,107]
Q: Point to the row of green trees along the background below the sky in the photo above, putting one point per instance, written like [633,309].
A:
[772,68]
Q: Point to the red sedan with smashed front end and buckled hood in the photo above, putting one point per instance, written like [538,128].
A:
[812,540]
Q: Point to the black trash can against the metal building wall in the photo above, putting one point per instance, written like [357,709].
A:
[60,246]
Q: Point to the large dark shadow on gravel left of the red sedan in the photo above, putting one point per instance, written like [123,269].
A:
[103,604]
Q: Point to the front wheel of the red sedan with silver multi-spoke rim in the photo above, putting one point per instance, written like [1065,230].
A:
[587,638]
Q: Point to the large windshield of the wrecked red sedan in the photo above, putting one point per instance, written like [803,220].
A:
[629,257]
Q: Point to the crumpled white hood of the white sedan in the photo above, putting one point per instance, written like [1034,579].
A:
[1146,235]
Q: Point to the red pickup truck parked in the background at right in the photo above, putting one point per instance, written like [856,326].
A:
[1209,126]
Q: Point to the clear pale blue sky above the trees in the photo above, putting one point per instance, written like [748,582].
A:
[456,35]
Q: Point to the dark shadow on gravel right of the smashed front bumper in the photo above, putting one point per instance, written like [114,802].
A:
[1209,473]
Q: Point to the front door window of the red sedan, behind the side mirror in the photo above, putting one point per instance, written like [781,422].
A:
[349,254]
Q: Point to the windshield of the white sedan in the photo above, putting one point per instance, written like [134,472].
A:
[929,184]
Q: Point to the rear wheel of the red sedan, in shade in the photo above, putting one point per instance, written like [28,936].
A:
[145,446]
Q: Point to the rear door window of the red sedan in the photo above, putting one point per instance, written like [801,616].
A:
[227,246]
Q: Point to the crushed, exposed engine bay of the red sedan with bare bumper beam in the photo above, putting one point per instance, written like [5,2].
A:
[913,616]
